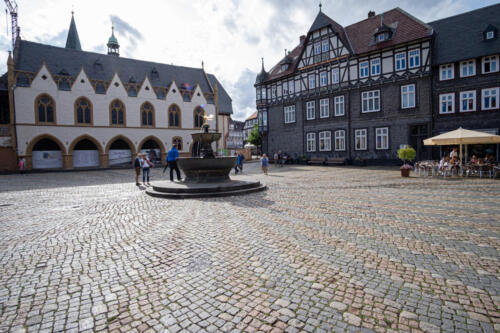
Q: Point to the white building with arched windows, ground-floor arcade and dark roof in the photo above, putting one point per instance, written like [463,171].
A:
[70,108]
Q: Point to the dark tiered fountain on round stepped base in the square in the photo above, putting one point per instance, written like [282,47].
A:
[205,174]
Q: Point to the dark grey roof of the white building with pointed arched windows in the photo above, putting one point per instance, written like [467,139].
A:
[29,56]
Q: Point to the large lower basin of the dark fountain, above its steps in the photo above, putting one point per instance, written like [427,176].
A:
[206,170]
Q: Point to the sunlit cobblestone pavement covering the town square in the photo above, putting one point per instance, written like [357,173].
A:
[324,249]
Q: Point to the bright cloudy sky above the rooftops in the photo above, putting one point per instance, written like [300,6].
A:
[230,36]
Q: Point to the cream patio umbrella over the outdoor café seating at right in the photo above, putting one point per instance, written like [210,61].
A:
[461,137]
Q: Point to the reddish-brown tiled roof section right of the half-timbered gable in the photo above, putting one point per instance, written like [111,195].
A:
[407,28]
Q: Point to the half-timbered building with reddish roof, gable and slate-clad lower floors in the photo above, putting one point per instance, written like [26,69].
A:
[360,91]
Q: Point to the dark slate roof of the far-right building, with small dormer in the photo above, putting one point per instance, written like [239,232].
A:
[460,37]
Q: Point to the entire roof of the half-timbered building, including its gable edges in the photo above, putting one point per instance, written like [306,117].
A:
[358,38]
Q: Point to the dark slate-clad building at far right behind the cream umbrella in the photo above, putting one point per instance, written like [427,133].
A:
[462,45]
